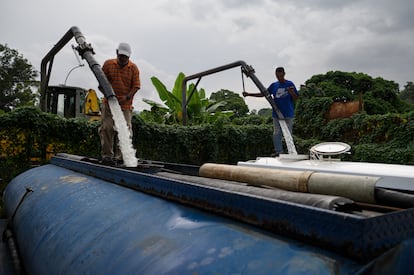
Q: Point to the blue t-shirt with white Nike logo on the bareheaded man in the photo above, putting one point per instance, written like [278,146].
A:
[283,99]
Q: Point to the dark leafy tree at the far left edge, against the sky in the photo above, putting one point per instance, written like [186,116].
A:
[17,78]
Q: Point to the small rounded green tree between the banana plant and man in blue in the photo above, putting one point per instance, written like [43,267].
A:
[234,102]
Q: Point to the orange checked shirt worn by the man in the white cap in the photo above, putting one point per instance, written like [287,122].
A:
[124,80]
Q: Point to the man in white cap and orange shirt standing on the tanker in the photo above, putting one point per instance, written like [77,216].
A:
[124,78]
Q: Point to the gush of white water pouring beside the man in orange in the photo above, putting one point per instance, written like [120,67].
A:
[124,136]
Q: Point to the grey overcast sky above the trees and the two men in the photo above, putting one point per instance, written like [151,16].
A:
[307,37]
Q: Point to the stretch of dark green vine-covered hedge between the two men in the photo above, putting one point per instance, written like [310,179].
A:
[199,144]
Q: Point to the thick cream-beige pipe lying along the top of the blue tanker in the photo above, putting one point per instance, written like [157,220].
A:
[355,187]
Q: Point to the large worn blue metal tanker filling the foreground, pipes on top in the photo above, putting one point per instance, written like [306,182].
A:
[77,216]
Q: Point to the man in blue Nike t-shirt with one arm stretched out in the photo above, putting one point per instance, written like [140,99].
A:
[284,93]
